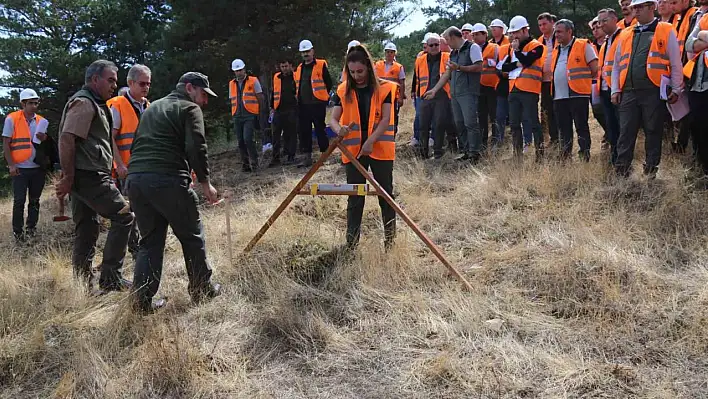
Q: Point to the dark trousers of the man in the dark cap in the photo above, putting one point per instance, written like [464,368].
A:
[159,202]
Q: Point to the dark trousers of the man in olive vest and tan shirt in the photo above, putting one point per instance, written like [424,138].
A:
[93,194]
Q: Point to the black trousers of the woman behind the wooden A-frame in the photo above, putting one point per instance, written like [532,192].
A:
[383,173]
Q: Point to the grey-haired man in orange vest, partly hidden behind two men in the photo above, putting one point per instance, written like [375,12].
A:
[126,110]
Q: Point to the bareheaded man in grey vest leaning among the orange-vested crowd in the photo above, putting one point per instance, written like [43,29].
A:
[464,72]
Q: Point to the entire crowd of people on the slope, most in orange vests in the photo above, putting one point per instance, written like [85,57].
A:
[638,71]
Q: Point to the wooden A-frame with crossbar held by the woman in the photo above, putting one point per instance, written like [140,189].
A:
[352,189]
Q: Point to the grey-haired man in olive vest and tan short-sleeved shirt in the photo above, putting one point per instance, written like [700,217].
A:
[86,161]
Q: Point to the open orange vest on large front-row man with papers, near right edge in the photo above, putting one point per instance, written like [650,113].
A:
[658,64]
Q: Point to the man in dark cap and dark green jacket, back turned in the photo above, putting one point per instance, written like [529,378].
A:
[170,140]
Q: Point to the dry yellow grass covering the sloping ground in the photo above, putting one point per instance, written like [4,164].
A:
[601,286]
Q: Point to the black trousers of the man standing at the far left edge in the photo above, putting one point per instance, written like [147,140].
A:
[29,183]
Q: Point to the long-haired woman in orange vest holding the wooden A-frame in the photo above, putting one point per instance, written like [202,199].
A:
[363,116]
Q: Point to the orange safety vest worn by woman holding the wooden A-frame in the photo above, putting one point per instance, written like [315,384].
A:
[385,147]
